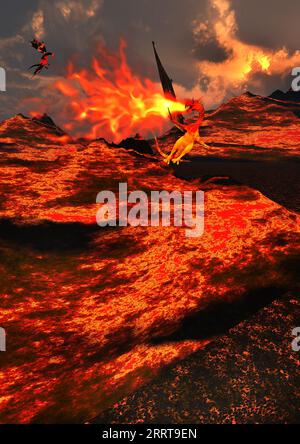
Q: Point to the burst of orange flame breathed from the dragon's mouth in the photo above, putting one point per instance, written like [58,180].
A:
[109,100]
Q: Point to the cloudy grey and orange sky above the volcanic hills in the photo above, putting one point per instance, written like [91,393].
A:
[213,49]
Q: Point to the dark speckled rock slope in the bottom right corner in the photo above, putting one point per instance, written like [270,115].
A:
[247,376]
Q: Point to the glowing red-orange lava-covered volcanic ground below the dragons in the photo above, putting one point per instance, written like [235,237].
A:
[93,315]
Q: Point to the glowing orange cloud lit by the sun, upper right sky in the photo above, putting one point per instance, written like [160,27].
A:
[236,73]
